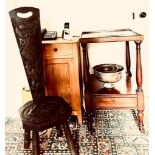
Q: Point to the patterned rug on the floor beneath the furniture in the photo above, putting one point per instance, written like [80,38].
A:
[117,133]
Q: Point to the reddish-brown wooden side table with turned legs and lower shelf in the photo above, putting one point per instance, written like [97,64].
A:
[127,92]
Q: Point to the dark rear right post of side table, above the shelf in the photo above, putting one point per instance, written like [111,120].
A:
[128,61]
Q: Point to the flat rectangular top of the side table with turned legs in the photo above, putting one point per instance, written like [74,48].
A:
[110,36]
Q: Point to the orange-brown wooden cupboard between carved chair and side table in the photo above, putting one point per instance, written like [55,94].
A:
[62,71]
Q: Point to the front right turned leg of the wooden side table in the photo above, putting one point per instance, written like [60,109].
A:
[139,81]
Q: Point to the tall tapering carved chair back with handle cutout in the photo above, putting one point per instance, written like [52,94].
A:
[28,36]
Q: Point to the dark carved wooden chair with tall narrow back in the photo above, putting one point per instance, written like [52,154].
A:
[42,112]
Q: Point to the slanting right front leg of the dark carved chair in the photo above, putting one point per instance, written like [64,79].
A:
[69,138]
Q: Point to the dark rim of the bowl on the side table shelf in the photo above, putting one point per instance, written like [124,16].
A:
[120,68]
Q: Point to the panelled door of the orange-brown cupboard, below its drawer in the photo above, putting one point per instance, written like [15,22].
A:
[58,73]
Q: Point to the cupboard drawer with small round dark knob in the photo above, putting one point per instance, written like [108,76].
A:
[57,51]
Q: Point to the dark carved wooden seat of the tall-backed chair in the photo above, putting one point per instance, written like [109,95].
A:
[48,112]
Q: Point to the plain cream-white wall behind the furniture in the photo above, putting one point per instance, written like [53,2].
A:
[83,16]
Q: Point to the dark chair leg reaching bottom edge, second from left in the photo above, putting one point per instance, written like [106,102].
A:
[35,143]
